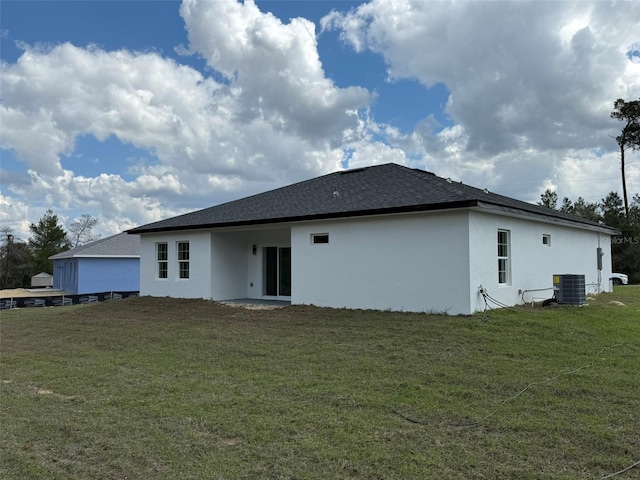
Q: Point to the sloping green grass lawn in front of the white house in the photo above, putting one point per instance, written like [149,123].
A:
[152,388]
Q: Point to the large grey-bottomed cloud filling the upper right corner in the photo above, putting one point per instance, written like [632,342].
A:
[542,73]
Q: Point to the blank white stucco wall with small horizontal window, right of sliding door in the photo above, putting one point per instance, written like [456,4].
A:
[415,262]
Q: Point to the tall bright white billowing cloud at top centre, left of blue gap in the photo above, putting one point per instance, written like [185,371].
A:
[274,68]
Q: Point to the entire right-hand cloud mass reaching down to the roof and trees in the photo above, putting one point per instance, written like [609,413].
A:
[531,84]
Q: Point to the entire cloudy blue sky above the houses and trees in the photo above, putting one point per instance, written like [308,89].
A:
[136,111]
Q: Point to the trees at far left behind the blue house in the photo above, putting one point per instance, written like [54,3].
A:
[20,260]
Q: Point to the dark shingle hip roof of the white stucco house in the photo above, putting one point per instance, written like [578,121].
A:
[388,188]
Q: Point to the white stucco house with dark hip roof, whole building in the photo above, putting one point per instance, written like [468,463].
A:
[381,237]
